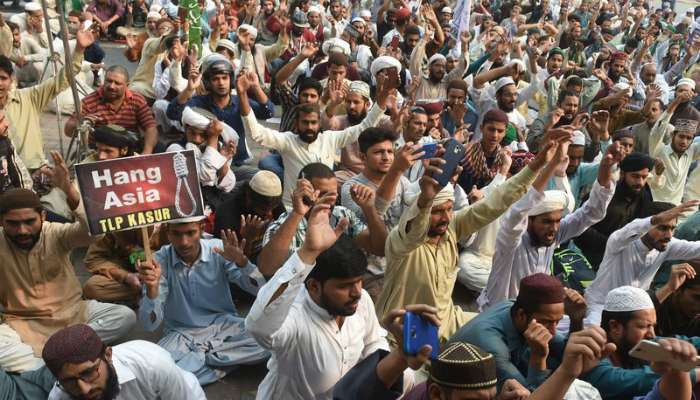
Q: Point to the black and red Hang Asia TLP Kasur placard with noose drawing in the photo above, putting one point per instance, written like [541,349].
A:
[133,192]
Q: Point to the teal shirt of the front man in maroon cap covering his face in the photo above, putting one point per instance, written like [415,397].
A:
[493,331]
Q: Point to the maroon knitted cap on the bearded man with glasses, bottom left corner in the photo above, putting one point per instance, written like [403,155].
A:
[75,344]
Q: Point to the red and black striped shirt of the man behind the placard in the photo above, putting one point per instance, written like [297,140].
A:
[133,114]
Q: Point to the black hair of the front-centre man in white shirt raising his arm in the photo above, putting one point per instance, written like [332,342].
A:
[343,260]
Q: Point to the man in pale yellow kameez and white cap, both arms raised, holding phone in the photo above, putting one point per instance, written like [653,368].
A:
[422,250]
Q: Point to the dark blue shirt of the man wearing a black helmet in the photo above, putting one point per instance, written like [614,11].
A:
[231,115]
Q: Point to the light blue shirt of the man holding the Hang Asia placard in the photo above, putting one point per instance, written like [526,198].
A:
[194,297]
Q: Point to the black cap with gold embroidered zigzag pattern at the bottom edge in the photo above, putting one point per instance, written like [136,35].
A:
[464,366]
